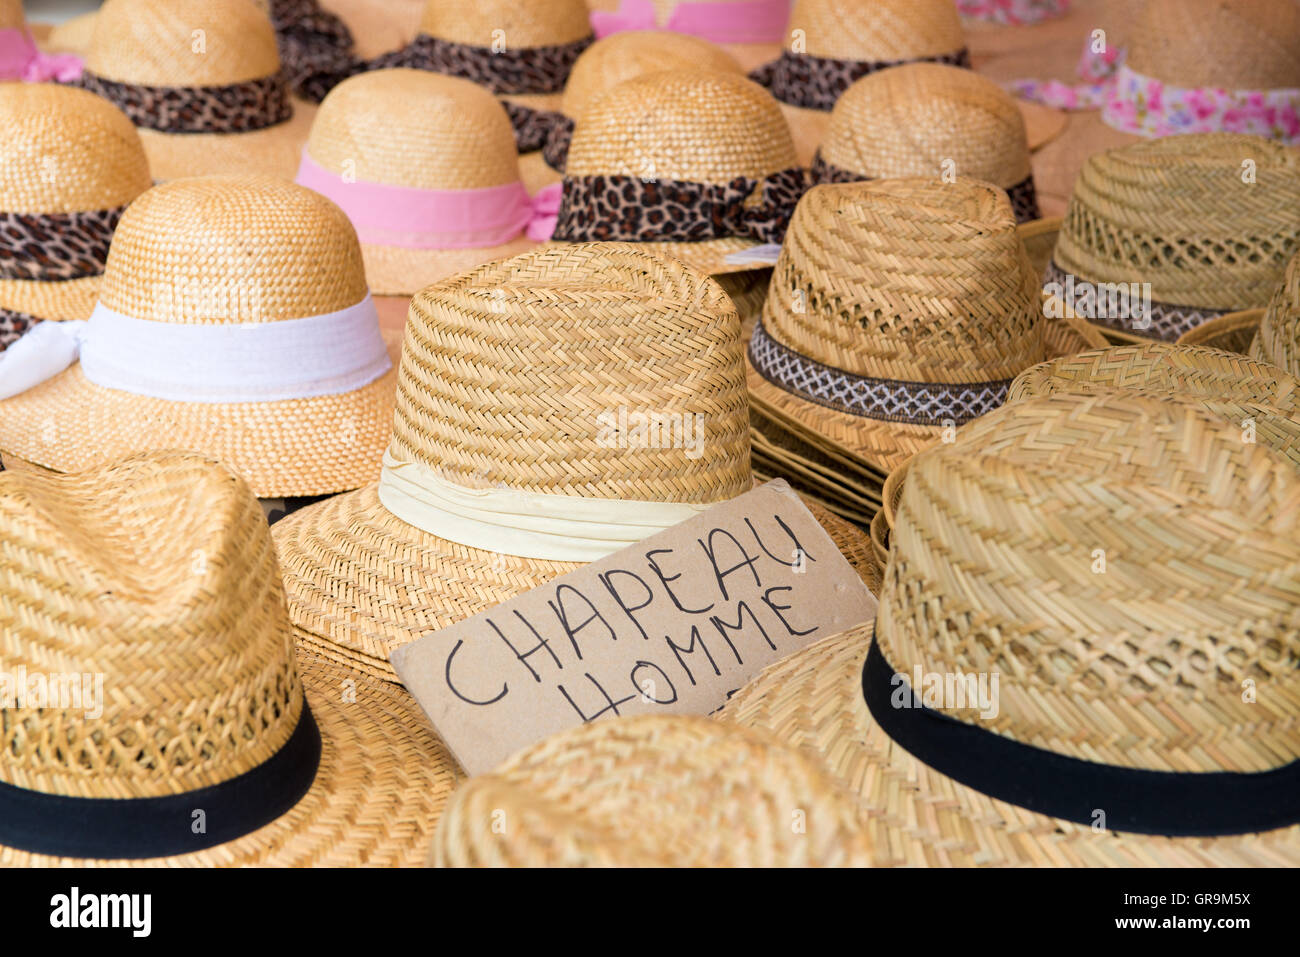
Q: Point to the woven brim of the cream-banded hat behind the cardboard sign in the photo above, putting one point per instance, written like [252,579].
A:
[362,583]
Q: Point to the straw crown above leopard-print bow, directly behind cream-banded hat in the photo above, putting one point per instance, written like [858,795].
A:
[687,125]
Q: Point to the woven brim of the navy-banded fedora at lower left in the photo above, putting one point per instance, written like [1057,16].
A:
[383,782]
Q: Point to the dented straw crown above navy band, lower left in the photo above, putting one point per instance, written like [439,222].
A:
[158,579]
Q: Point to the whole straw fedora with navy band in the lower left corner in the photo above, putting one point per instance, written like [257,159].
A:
[205,743]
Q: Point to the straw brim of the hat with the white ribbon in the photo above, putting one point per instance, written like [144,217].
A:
[314,447]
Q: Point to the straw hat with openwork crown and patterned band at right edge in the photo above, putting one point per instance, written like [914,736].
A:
[1210,220]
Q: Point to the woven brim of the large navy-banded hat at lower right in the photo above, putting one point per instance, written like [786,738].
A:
[918,816]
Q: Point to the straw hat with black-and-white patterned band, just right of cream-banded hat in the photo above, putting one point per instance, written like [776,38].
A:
[898,309]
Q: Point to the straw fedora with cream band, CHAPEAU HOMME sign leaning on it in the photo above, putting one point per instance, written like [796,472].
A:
[509,380]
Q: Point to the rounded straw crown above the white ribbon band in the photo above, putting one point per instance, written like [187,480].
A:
[232,250]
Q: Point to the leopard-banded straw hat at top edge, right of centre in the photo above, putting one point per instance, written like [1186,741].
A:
[831,44]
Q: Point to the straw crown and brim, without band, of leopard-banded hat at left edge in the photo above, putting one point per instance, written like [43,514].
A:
[63,151]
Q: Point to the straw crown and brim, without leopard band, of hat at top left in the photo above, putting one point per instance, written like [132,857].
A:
[192,44]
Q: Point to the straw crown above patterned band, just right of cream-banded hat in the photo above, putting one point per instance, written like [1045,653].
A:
[912,280]
